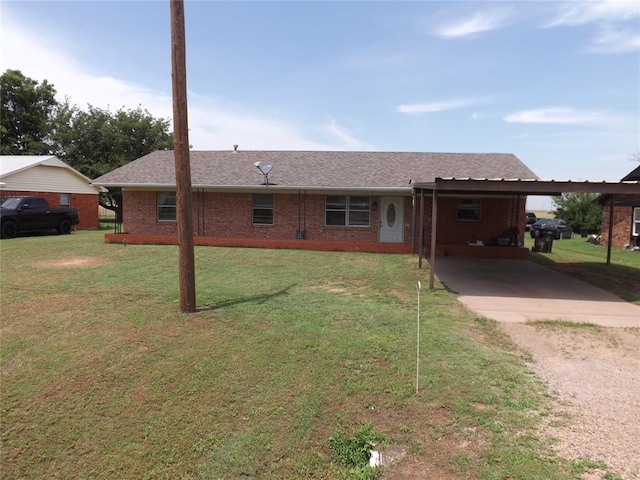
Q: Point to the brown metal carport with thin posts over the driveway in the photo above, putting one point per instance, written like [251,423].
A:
[507,187]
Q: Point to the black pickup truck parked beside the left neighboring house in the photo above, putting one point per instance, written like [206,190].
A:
[23,214]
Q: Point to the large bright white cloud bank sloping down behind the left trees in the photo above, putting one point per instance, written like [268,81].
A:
[210,125]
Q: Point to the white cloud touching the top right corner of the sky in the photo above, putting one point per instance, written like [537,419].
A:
[580,13]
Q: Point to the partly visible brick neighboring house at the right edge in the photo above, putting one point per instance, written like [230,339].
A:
[625,231]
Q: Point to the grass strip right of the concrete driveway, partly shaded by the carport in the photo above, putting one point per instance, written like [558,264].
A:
[577,257]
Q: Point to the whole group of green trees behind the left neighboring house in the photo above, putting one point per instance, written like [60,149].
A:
[93,142]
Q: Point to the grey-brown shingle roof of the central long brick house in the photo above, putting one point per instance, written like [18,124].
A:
[316,169]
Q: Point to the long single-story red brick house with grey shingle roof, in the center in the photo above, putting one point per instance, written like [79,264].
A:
[318,200]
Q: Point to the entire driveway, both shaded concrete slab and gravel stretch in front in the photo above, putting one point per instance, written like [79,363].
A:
[593,371]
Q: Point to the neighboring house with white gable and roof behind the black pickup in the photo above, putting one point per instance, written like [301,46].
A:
[50,177]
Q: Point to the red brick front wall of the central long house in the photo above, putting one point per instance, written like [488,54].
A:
[225,219]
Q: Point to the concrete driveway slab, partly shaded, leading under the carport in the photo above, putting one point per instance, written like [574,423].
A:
[521,290]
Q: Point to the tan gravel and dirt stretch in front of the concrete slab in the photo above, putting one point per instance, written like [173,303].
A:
[593,375]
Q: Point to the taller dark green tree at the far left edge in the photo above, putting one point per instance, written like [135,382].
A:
[25,115]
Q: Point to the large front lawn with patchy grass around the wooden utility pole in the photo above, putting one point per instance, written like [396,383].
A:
[102,377]
